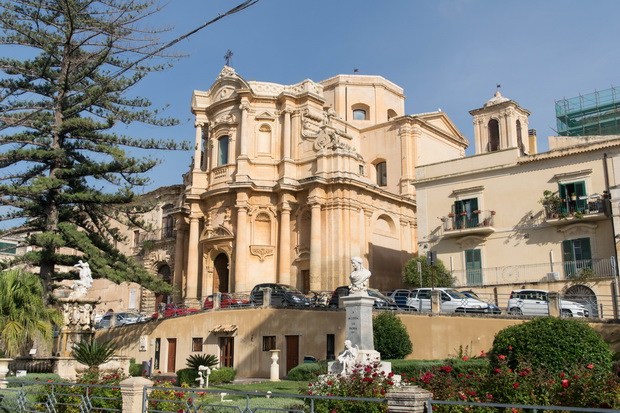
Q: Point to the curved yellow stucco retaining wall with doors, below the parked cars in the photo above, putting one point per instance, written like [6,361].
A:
[433,336]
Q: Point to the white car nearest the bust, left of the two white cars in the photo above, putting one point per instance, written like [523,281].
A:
[452,301]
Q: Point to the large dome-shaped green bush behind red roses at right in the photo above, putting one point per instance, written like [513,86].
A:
[551,343]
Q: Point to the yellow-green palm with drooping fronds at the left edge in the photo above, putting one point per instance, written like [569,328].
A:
[23,311]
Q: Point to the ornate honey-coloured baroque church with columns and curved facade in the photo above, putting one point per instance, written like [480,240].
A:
[289,182]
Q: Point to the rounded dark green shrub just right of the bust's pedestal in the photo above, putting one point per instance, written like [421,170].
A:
[391,337]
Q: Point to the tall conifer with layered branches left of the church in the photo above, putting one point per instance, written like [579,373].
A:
[66,173]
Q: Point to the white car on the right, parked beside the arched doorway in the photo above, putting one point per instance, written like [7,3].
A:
[536,302]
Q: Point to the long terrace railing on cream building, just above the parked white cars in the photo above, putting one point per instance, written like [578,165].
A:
[569,270]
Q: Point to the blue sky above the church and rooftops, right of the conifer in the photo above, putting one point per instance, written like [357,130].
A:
[447,54]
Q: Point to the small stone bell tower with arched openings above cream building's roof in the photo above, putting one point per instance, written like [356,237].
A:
[502,124]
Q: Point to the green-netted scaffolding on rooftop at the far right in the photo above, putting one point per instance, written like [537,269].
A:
[596,113]
